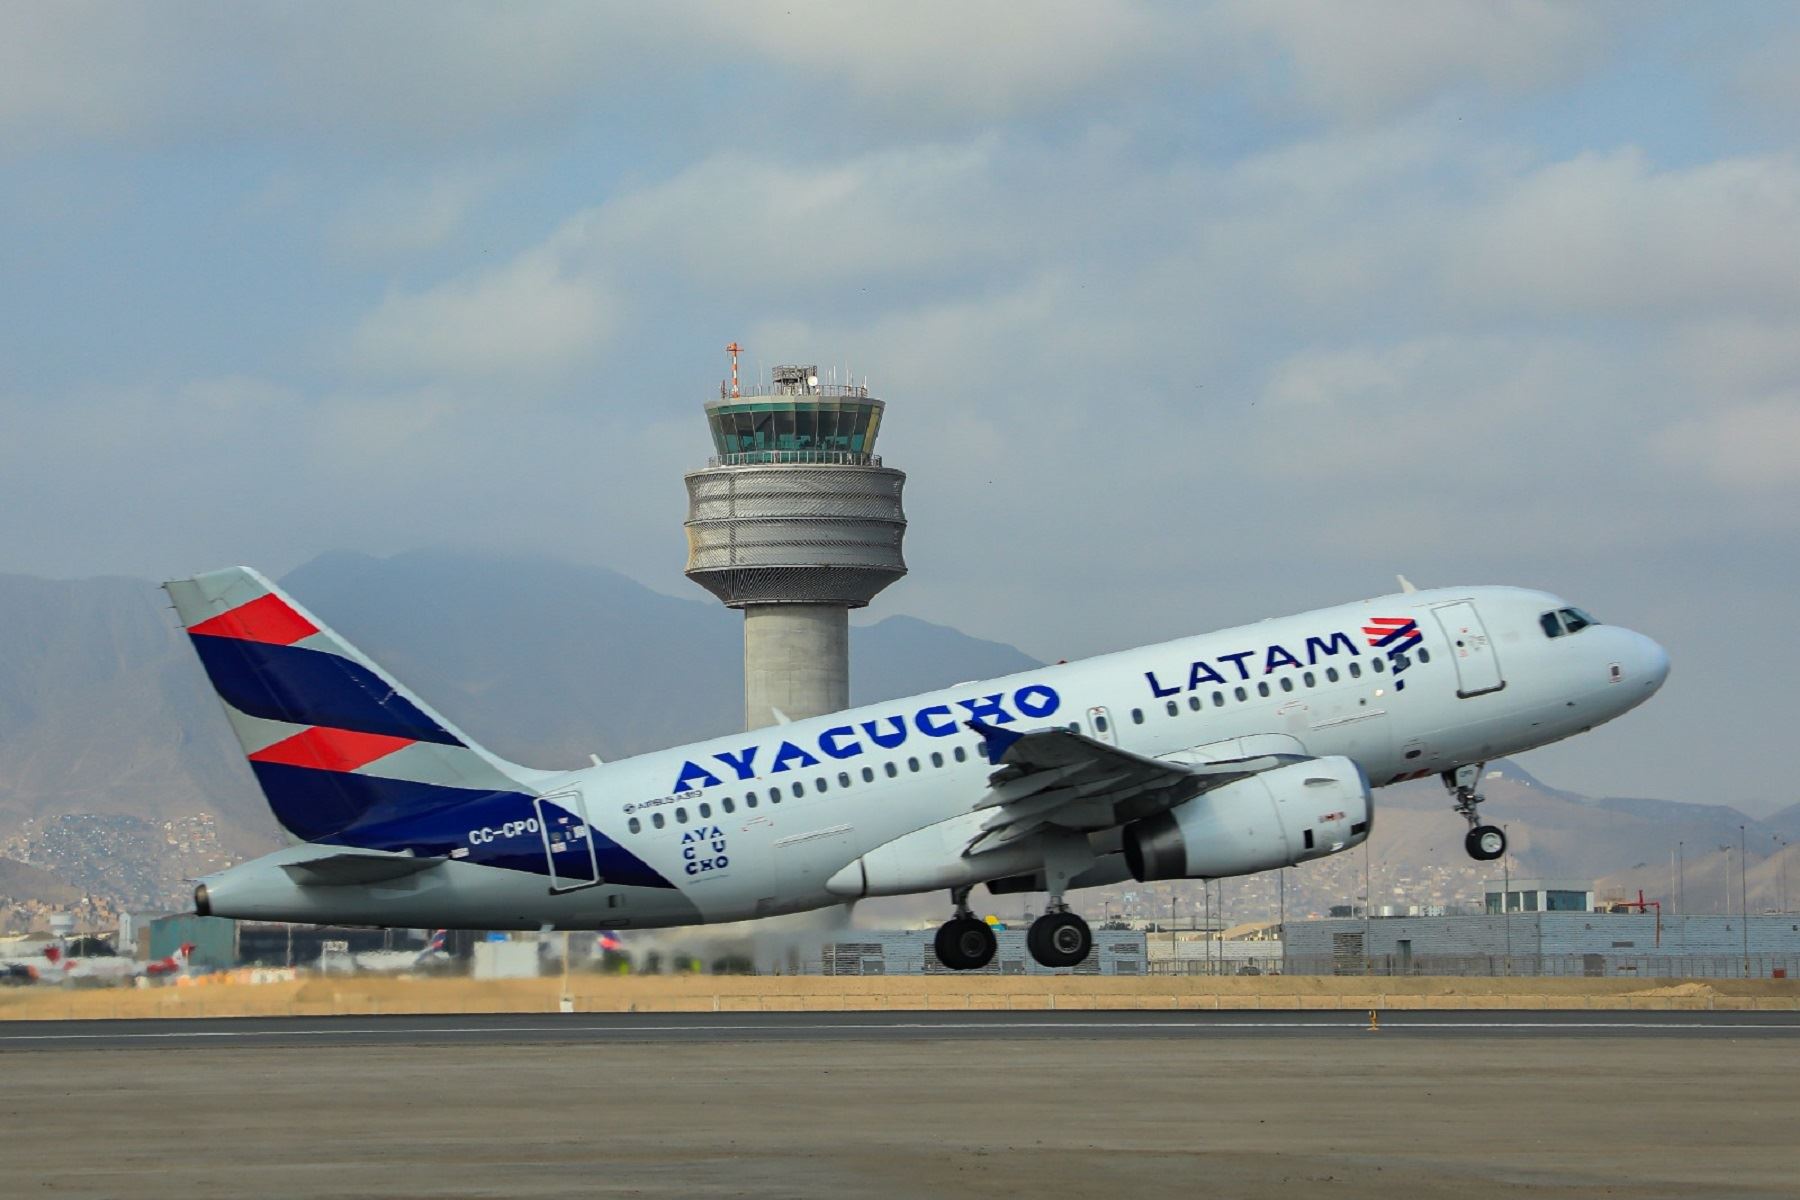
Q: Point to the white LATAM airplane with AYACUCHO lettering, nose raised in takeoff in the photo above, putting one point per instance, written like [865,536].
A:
[1210,757]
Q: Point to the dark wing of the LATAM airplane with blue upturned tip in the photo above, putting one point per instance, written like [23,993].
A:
[1068,780]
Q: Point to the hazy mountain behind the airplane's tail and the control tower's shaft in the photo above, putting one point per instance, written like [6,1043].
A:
[120,776]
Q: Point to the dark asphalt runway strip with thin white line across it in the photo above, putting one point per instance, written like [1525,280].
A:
[960,1026]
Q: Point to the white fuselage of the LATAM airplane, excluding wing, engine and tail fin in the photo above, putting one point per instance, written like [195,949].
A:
[755,825]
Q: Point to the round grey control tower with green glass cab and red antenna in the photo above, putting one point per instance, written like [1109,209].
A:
[796,523]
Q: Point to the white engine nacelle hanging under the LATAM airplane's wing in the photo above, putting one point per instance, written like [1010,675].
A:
[1273,819]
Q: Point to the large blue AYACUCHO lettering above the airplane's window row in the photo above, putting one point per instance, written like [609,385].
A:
[847,742]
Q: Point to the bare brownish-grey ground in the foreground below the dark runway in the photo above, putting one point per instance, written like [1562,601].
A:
[1374,1116]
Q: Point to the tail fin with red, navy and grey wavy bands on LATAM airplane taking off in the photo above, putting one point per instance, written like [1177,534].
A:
[332,739]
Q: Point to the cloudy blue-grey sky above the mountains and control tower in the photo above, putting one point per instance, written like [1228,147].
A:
[1187,314]
